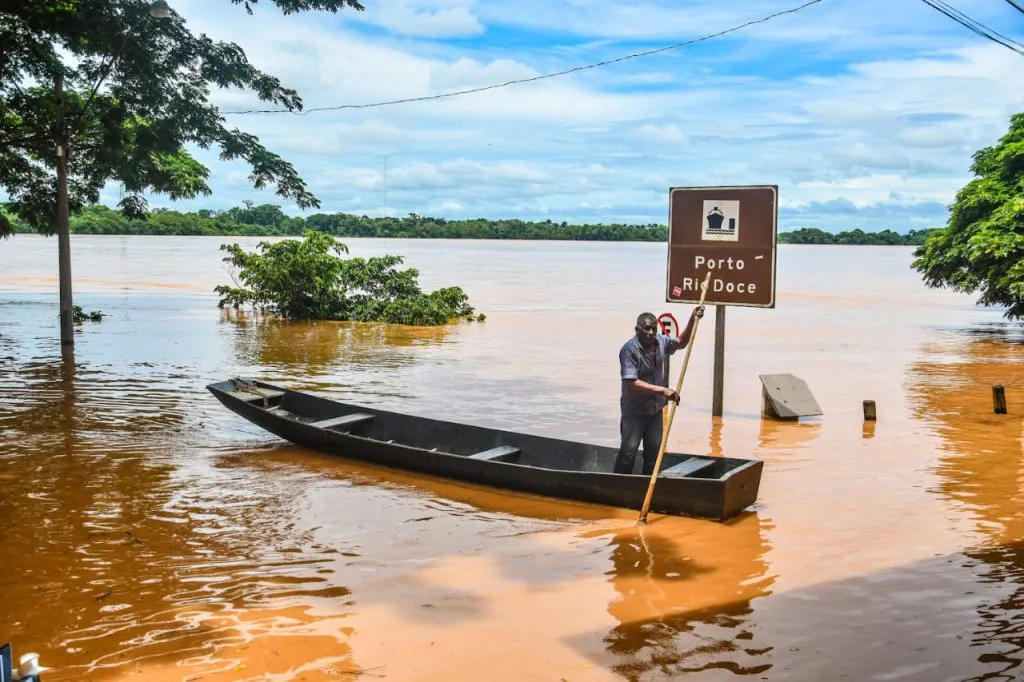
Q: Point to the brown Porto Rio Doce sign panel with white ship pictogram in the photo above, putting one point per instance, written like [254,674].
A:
[731,232]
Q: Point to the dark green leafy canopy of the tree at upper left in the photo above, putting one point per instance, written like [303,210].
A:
[137,92]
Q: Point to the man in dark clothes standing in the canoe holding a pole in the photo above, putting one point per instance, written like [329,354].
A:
[644,368]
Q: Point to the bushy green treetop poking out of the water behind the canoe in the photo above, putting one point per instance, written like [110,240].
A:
[309,280]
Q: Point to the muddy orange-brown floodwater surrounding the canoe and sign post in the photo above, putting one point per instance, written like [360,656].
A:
[151,535]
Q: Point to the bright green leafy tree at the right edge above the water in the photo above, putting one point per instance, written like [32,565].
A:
[982,249]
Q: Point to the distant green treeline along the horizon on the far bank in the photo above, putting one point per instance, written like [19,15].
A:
[270,221]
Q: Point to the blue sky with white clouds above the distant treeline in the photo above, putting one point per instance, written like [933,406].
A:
[865,113]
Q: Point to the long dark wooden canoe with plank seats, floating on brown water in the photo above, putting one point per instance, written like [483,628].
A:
[721,489]
